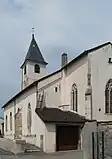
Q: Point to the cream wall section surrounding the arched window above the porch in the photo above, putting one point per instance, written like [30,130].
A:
[75,73]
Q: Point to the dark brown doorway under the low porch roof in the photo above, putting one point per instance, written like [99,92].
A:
[67,137]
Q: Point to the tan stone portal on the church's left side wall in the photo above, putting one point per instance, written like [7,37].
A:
[18,124]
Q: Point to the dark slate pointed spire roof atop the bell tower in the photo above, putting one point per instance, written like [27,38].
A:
[34,53]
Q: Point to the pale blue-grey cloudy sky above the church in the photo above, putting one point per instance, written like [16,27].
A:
[69,26]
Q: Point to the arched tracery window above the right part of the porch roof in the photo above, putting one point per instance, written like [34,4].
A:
[74,98]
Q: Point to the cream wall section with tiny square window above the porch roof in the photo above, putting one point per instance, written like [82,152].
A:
[52,98]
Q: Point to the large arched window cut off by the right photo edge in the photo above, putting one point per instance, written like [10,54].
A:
[108,97]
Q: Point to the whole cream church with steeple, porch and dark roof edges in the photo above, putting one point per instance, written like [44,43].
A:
[51,110]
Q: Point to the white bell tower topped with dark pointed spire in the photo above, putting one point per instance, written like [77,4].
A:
[34,65]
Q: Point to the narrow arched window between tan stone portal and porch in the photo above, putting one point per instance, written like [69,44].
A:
[29,118]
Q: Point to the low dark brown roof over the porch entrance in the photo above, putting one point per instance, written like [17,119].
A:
[55,115]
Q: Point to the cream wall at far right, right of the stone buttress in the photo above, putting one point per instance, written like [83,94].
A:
[101,72]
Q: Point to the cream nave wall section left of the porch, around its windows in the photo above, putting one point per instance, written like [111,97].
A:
[22,103]
